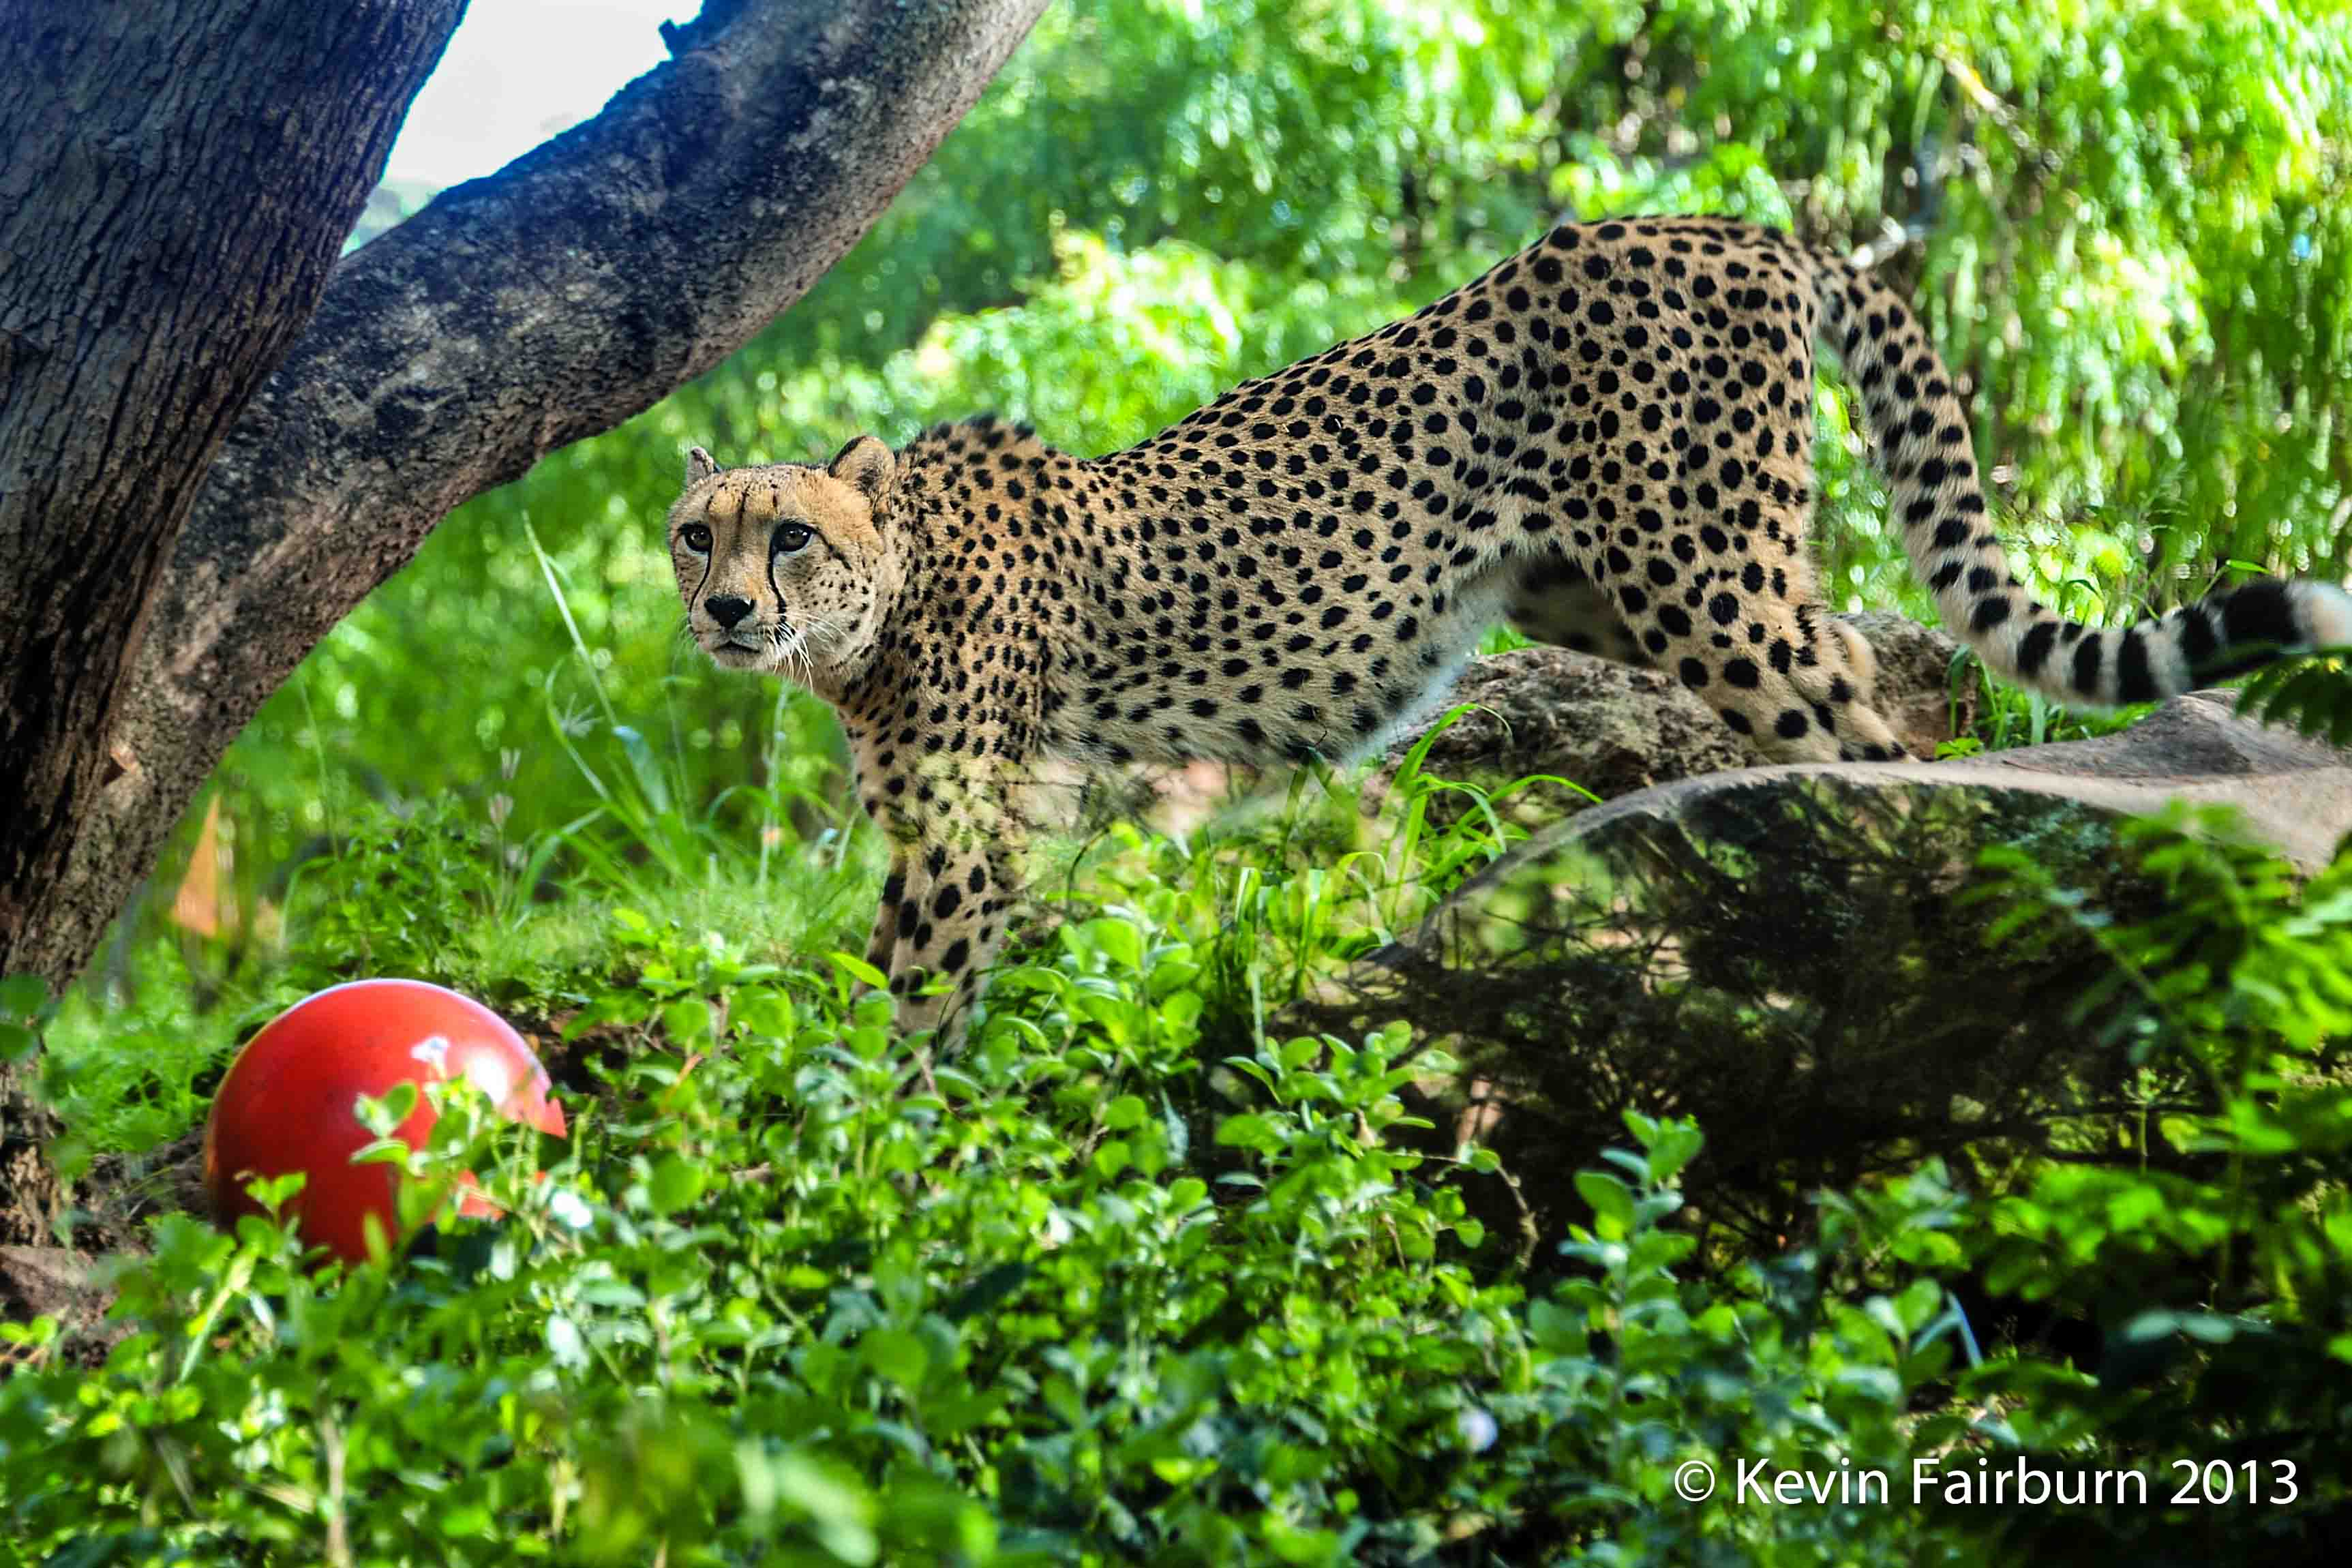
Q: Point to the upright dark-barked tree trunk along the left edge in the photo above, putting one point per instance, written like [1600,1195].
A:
[180,180]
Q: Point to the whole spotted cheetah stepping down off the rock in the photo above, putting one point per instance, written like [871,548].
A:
[1605,438]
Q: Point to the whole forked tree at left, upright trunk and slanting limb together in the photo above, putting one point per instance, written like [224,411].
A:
[514,316]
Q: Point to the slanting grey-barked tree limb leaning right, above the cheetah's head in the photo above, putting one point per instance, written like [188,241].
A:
[514,316]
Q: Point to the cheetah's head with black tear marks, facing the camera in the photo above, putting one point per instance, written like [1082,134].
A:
[784,568]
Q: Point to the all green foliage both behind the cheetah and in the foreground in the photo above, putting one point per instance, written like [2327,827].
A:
[1144,1278]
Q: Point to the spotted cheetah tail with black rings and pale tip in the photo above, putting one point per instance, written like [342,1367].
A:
[1923,441]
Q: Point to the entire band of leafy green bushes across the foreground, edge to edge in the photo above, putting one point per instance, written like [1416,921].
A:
[1132,1282]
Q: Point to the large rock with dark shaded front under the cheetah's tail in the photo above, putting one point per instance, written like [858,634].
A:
[1796,958]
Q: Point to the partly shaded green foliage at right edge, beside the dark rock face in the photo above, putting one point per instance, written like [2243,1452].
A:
[2210,1245]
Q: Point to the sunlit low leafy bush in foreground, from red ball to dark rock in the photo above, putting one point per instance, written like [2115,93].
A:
[1005,1311]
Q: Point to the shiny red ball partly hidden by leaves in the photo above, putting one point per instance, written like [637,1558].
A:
[288,1099]
